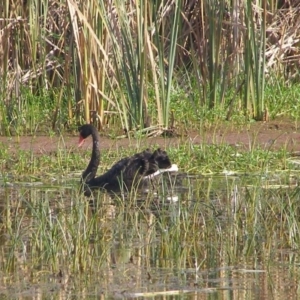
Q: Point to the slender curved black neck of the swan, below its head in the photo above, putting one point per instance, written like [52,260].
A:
[92,167]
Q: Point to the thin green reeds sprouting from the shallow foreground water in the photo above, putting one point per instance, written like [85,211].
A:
[221,222]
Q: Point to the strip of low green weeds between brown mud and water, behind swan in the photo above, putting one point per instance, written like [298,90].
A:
[205,159]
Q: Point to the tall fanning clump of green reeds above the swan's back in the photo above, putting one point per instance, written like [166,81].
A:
[143,57]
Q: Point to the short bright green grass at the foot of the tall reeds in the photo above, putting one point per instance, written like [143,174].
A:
[186,113]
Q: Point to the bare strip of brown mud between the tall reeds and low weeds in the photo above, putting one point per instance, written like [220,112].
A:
[269,135]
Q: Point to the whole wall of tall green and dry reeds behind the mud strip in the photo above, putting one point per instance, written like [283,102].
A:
[140,64]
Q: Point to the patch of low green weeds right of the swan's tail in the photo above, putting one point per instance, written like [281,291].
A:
[217,158]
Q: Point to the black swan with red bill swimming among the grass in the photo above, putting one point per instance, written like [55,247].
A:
[128,172]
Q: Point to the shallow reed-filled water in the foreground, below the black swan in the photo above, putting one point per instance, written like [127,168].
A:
[233,237]
